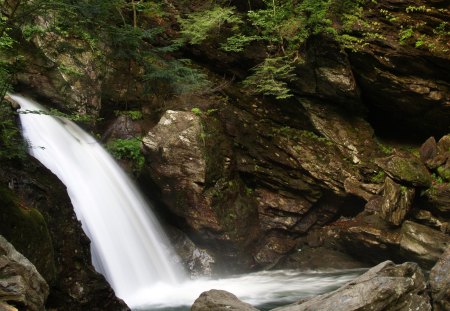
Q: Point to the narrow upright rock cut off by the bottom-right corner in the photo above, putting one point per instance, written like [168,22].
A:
[440,283]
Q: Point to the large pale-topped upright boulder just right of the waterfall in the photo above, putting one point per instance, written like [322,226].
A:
[175,153]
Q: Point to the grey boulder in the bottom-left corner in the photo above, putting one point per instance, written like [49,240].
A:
[20,283]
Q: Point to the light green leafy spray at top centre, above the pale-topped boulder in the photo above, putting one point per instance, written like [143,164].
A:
[198,25]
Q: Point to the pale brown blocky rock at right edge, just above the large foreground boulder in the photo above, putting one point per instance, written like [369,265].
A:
[422,244]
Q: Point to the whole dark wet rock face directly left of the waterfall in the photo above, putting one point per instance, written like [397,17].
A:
[37,216]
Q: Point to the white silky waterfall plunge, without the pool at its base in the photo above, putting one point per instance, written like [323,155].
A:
[128,245]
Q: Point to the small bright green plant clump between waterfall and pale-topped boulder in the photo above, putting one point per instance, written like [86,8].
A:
[128,149]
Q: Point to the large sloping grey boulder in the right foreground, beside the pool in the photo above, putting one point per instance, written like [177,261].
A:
[384,287]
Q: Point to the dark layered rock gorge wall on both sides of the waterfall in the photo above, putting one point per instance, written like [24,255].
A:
[352,169]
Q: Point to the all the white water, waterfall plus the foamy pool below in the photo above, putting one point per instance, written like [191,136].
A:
[127,243]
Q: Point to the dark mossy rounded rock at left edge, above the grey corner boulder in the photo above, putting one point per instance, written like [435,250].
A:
[27,230]
